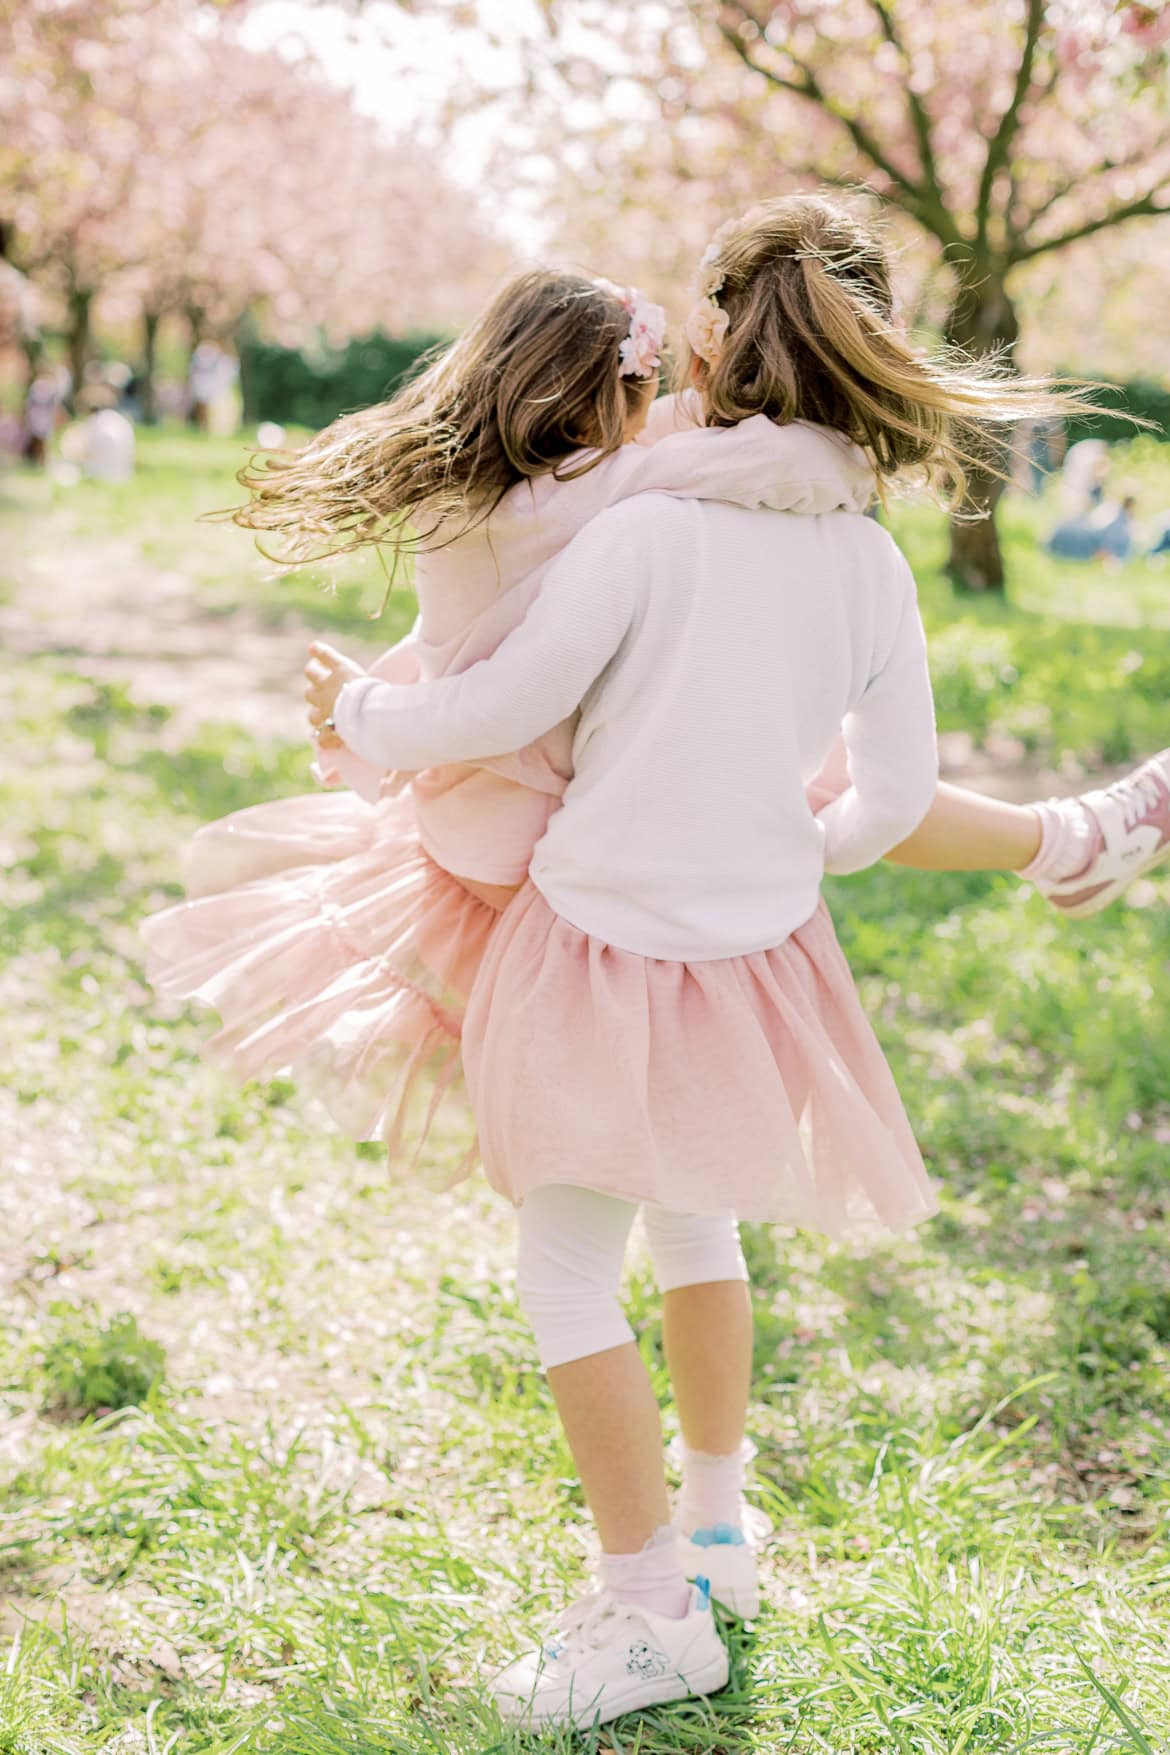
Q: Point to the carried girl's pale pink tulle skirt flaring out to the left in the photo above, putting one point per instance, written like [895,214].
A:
[332,949]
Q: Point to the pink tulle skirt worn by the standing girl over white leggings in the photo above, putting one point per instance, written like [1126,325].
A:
[687,1085]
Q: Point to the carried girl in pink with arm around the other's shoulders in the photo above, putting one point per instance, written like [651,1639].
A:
[338,935]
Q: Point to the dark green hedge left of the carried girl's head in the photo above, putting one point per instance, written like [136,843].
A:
[311,387]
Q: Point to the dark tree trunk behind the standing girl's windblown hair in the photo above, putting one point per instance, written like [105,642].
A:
[981,320]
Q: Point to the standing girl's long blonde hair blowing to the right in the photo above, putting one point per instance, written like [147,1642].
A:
[811,336]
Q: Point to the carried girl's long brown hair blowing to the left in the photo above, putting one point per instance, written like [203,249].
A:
[525,389]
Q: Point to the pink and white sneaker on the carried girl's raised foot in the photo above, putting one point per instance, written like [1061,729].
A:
[1134,817]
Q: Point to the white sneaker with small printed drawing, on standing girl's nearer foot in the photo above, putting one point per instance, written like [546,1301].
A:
[610,1658]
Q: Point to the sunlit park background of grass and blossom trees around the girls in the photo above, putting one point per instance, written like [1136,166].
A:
[278,1472]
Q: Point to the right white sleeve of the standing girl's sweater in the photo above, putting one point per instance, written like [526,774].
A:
[892,749]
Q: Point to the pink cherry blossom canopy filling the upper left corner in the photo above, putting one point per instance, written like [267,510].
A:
[152,155]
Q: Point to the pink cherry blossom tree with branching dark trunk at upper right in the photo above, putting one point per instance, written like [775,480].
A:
[1001,134]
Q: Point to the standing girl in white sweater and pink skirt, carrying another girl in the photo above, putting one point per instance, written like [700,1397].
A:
[666,999]
